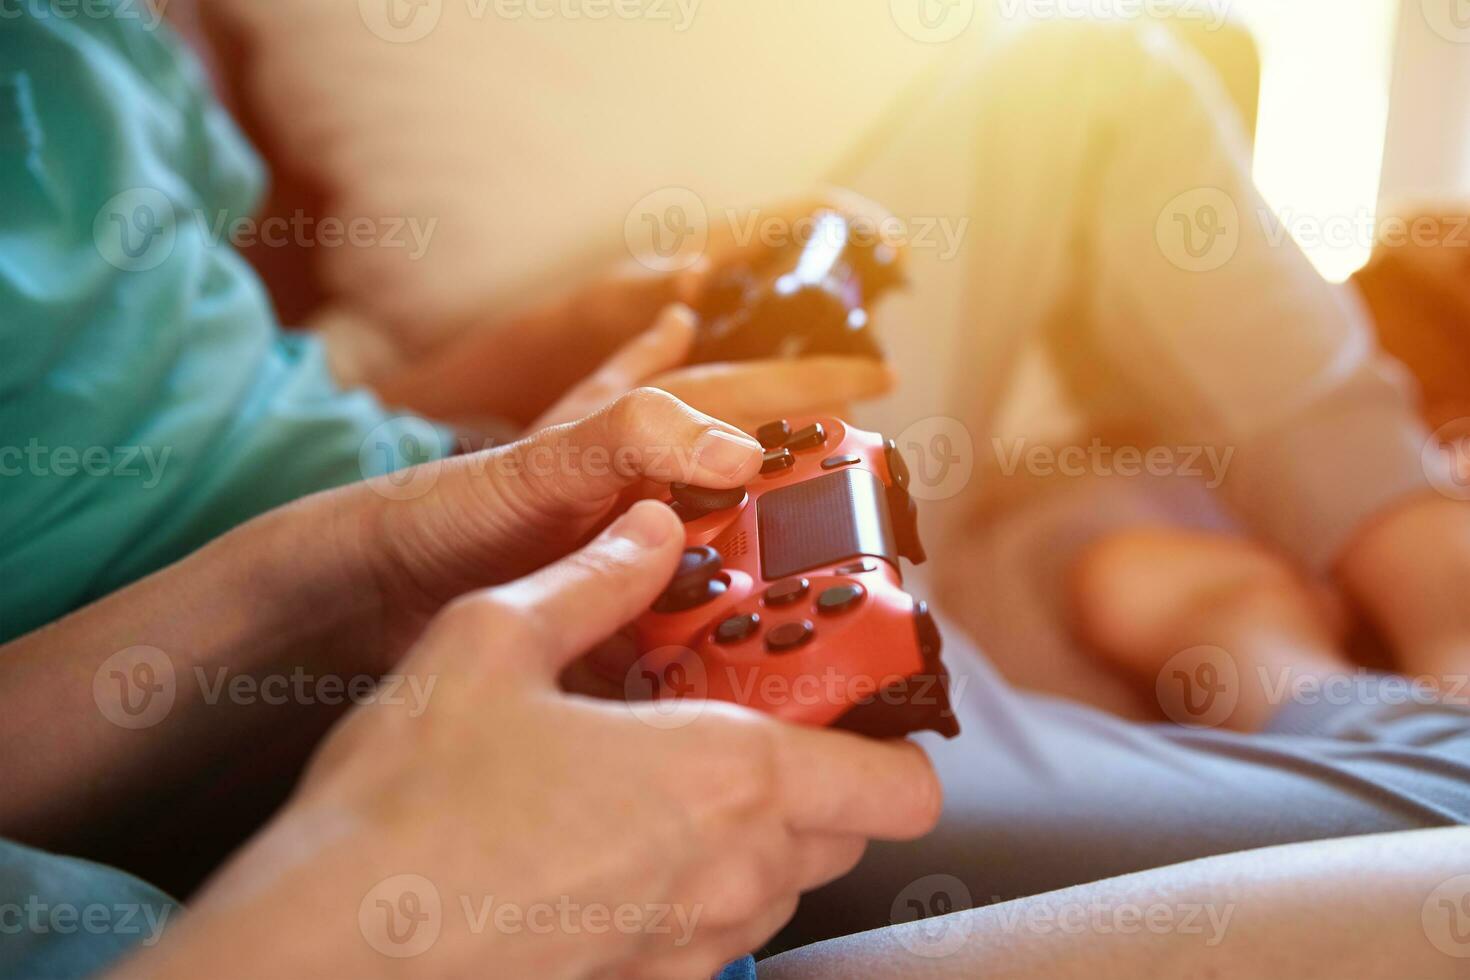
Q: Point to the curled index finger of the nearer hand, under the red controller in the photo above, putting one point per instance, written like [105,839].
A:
[836,782]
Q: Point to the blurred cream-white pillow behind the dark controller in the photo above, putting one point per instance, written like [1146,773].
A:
[527,140]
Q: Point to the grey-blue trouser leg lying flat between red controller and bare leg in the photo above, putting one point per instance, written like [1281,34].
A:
[1043,794]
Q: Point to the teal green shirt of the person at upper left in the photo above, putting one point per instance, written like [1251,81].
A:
[149,400]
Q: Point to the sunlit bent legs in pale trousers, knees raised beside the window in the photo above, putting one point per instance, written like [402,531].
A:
[1114,220]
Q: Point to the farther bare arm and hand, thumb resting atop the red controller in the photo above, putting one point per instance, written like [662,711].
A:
[202,665]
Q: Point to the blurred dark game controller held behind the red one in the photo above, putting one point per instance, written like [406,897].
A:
[808,299]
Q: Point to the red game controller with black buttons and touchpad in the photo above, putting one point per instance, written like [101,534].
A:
[789,597]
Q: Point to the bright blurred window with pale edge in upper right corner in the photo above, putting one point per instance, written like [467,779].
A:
[1362,105]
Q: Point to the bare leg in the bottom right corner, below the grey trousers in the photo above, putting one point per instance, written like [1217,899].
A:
[1374,909]
